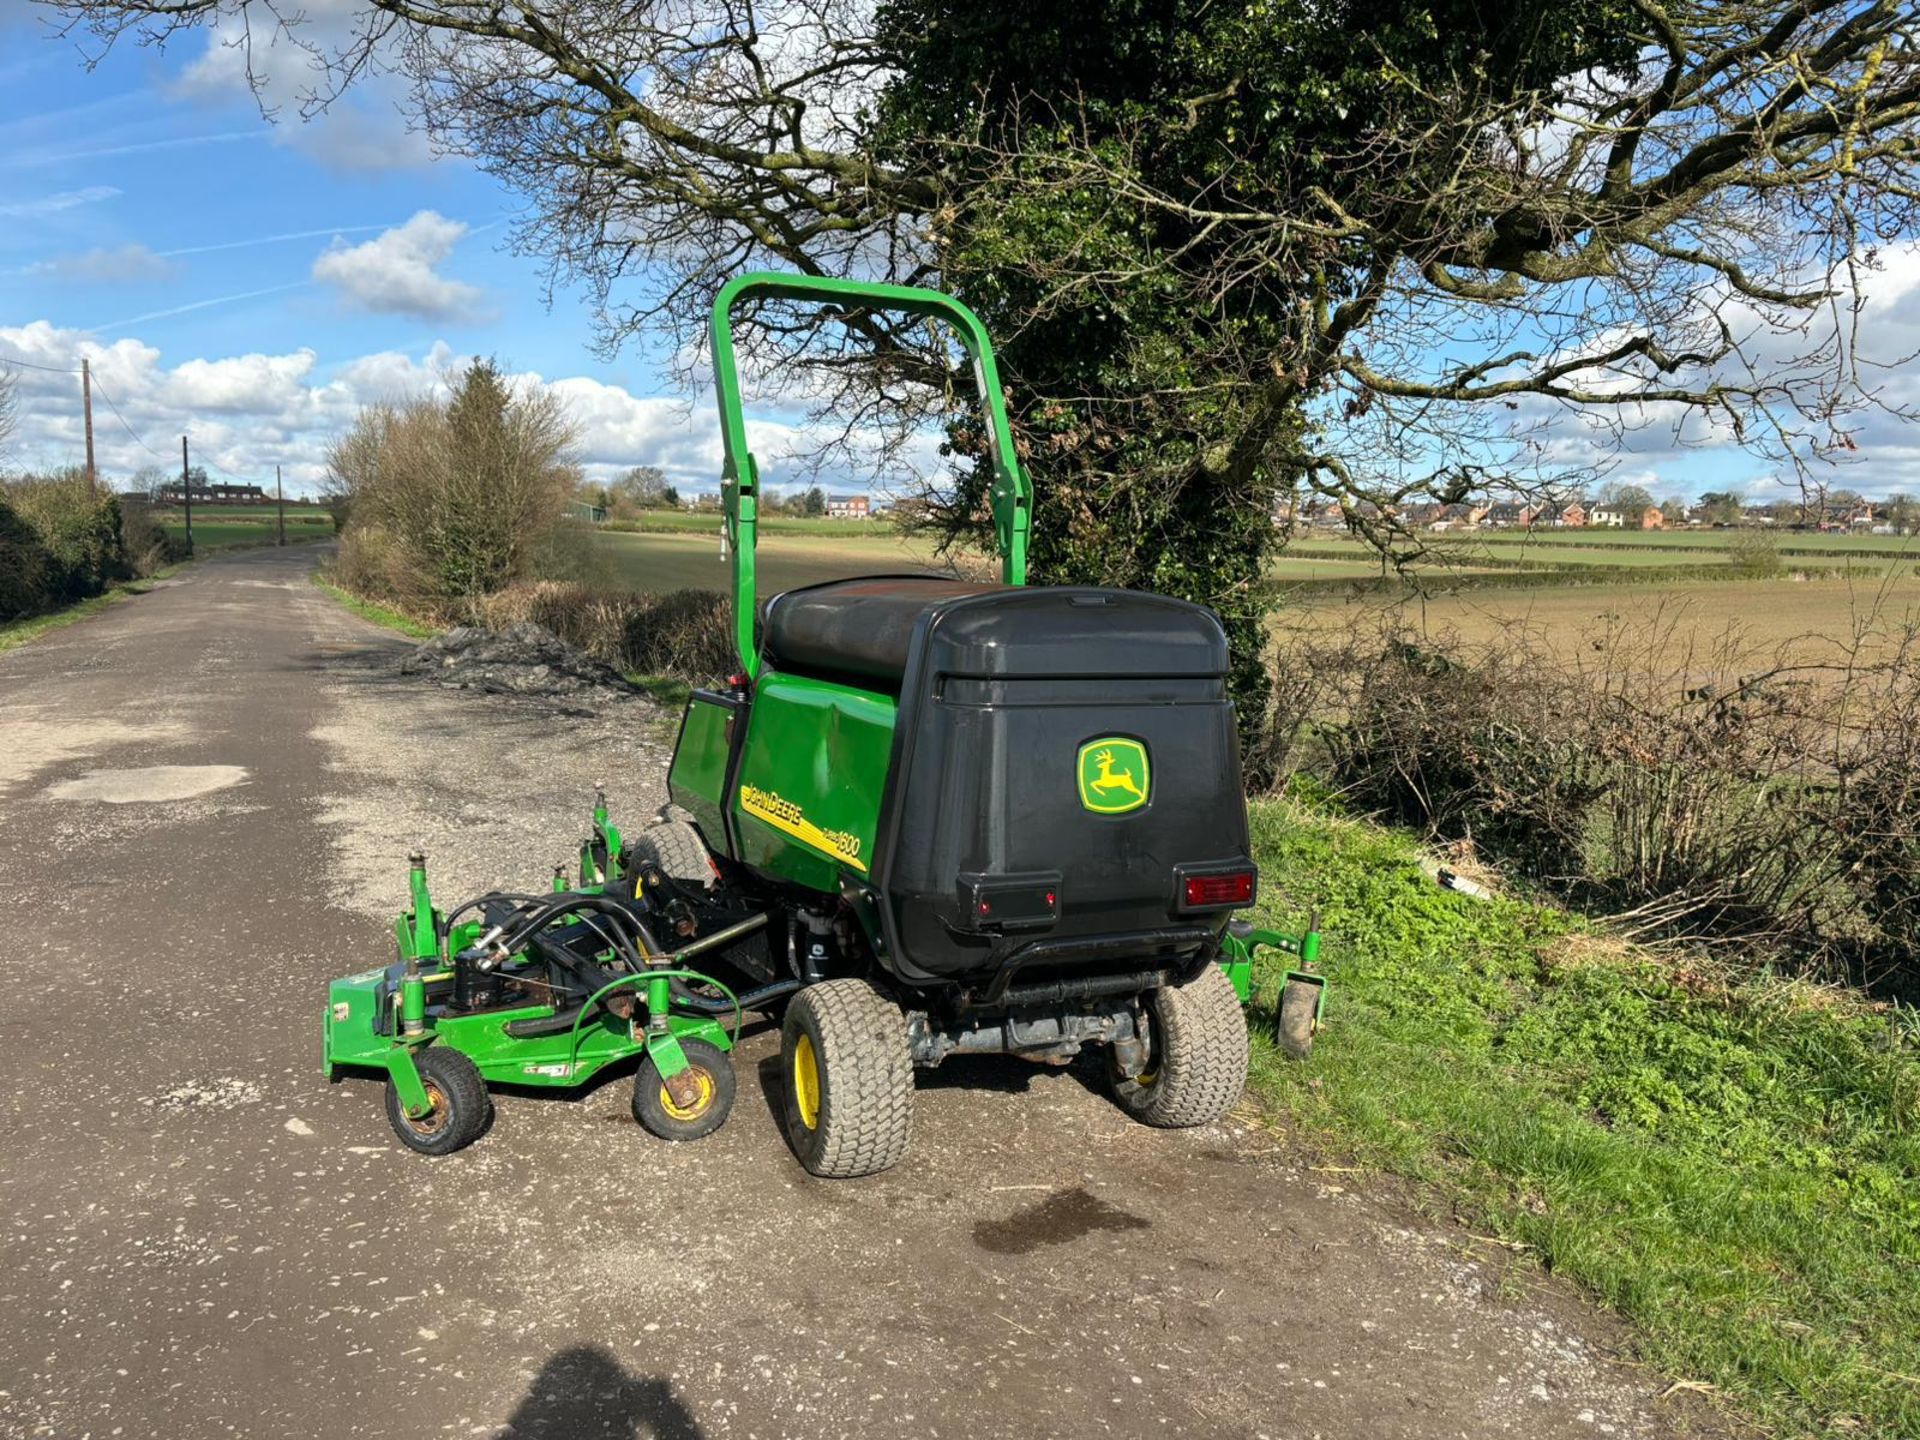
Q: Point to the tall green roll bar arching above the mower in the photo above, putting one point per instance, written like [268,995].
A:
[740,483]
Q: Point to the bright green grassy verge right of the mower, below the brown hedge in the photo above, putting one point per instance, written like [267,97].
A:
[1729,1166]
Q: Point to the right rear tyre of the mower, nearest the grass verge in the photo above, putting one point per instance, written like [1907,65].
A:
[1197,1055]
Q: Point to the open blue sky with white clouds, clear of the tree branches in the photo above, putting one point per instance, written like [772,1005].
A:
[256,283]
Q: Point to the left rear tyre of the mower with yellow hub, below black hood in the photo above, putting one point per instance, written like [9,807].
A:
[850,1080]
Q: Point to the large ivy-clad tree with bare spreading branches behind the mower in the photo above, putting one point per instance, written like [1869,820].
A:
[1449,291]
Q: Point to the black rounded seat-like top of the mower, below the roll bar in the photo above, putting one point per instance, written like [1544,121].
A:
[855,629]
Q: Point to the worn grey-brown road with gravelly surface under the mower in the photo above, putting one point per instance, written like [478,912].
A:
[206,800]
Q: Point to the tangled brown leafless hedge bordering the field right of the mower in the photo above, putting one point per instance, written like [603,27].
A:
[1710,794]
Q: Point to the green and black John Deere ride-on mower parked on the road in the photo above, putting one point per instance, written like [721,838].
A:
[926,819]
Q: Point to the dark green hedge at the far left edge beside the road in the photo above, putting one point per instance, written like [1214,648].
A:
[59,542]
